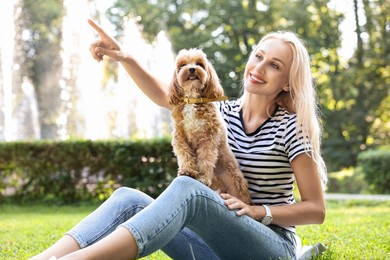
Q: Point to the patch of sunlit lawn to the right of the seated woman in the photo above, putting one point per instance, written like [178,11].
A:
[352,230]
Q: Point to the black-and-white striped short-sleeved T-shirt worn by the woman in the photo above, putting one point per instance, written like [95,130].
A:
[265,155]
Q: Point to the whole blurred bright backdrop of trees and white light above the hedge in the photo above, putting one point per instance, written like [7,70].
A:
[52,89]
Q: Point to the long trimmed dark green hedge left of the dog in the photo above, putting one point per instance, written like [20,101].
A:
[71,171]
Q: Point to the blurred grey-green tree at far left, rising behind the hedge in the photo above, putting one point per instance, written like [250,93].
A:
[40,23]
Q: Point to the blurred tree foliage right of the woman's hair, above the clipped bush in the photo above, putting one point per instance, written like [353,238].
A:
[356,115]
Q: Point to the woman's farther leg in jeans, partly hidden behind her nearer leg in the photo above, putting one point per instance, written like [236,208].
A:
[121,206]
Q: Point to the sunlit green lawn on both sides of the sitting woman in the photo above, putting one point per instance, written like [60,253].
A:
[352,229]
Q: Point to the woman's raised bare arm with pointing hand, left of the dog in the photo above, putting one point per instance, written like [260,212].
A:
[154,88]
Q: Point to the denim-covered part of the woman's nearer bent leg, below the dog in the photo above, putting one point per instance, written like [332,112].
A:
[188,203]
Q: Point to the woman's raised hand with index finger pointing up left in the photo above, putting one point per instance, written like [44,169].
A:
[105,45]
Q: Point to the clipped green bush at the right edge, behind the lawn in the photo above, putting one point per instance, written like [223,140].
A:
[375,165]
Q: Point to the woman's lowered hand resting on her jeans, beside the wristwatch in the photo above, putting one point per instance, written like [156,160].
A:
[255,212]
